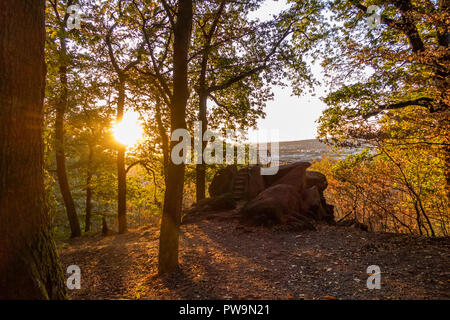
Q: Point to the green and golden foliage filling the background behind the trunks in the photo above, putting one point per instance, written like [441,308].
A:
[387,92]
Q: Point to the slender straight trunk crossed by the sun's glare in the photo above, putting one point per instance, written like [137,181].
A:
[121,171]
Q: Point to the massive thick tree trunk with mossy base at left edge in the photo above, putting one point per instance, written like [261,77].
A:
[29,263]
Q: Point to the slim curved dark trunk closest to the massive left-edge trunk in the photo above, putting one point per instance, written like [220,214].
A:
[61,170]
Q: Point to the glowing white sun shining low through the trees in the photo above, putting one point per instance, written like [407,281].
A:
[129,131]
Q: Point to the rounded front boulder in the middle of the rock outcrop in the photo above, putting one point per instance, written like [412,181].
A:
[273,206]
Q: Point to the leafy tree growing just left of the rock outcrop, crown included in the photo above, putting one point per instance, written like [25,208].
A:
[237,59]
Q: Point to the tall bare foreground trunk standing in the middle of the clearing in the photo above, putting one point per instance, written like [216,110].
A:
[170,224]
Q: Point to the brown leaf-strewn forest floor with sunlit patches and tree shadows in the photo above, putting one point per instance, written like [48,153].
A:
[223,260]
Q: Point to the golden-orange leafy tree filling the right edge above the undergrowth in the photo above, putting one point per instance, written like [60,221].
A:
[390,90]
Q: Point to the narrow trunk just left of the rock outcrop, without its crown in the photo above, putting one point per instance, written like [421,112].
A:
[201,167]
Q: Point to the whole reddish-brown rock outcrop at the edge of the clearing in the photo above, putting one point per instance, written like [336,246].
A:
[293,197]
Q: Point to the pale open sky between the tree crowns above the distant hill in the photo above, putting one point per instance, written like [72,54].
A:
[293,117]
